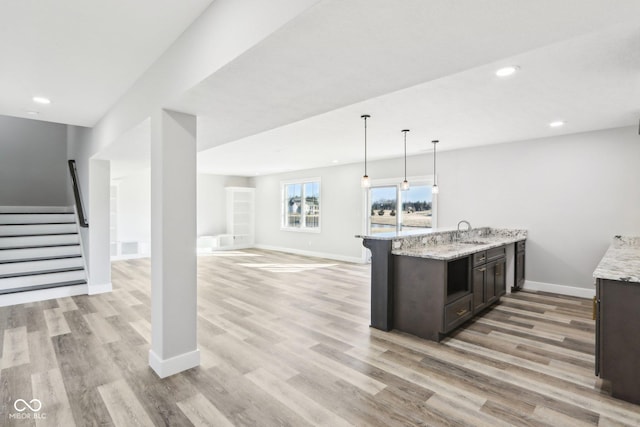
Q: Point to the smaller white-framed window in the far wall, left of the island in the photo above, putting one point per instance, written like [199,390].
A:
[301,205]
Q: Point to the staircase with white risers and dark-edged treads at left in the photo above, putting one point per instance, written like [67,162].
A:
[39,249]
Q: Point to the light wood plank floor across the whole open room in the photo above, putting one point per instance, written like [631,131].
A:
[285,341]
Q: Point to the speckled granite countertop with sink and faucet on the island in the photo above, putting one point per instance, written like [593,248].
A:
[447,244]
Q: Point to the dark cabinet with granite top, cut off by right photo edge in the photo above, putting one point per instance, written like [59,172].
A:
[618,318]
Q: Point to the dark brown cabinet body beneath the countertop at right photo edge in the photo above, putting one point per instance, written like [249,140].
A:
[617,345]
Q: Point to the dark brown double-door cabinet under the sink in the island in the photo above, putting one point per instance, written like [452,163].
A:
[488,277]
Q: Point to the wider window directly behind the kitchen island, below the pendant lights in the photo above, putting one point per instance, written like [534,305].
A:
[391,209]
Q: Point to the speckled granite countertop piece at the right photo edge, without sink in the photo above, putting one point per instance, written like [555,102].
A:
[621,261]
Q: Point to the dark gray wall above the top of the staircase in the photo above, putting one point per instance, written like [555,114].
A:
[33,163]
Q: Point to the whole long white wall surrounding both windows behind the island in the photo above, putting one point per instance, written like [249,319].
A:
[573,193]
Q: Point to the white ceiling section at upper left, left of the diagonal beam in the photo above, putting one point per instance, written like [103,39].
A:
[82,54]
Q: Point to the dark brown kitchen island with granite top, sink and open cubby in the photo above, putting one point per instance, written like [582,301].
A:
[429,283]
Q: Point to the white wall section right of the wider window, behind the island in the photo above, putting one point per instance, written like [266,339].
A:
[573,194]
